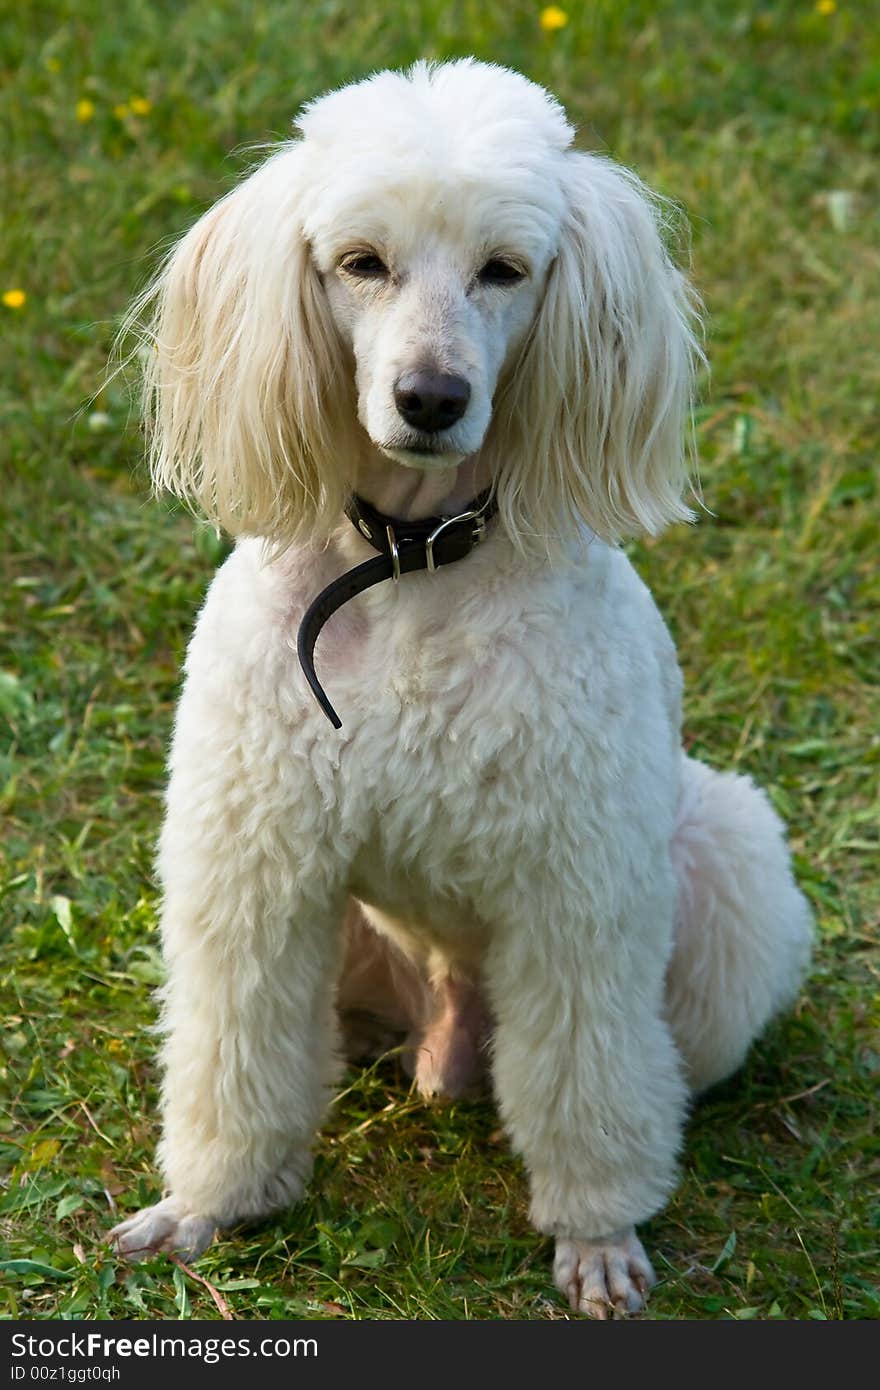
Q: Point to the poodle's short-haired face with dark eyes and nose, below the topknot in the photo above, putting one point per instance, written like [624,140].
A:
[434,306]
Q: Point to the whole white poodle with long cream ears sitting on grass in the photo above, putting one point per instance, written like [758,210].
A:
[430,366]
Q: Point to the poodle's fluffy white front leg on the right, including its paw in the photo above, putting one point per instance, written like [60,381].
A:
[590,1085]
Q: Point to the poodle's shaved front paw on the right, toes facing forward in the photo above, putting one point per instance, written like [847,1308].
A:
[604,1277]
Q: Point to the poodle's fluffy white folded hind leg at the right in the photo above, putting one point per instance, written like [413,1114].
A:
[744,931]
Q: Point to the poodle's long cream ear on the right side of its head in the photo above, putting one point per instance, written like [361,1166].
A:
[600,405]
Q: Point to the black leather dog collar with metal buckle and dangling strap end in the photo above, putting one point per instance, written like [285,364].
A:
[404,547]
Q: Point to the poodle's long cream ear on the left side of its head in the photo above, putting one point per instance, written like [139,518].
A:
[241,362]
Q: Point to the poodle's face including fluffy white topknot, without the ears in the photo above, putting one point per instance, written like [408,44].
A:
[433,241]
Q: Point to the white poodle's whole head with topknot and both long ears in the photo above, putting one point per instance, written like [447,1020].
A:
[429,273]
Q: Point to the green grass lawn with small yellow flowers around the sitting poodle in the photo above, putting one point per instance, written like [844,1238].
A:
[120,127]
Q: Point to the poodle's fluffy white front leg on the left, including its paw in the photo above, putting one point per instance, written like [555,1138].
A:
[252,938]
